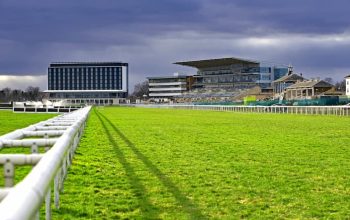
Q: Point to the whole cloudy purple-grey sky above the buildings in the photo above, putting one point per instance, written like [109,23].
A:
[312,35]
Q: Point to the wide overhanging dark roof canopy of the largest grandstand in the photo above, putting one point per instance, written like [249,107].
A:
[215,62]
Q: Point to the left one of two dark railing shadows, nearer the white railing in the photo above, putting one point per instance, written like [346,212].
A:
[139,190]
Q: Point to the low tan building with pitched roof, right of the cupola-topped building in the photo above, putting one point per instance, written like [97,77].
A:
[307,89]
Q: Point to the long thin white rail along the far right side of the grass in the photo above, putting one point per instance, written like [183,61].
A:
[304,110]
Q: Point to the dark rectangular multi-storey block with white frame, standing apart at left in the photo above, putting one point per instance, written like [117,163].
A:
[88,82]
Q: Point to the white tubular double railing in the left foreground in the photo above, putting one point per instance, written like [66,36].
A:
[23,200]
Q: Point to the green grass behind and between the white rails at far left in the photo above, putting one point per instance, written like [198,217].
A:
[10,121]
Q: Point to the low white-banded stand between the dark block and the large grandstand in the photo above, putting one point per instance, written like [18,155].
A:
[166,88]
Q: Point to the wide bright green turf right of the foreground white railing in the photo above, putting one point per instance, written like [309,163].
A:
[182,164]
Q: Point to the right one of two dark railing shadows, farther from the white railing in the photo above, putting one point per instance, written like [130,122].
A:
[188,206]
